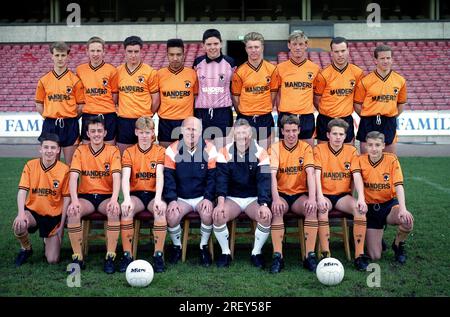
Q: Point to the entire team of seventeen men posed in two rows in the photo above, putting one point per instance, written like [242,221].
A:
[306,184]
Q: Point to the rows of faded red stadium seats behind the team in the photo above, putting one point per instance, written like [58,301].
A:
[424,64]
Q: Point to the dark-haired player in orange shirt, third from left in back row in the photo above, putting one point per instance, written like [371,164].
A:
[138,92]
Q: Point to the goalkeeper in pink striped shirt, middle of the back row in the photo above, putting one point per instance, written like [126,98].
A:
[213,103]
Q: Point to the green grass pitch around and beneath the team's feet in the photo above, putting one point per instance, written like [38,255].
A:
[427,183]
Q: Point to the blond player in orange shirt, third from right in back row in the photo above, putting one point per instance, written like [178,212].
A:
[295,79]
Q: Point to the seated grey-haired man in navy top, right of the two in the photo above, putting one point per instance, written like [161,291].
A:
[243,184]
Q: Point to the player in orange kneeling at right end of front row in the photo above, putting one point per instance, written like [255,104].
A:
[385,195]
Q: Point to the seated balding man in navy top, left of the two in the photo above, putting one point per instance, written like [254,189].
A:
[189,185]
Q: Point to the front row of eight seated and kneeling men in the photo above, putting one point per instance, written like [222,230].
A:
[188,176]
